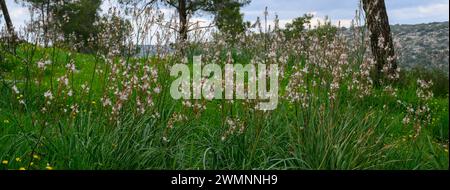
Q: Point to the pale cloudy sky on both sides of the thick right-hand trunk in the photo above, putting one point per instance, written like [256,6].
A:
[399,11]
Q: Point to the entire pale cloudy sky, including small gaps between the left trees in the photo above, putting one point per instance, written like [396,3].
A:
[339,11]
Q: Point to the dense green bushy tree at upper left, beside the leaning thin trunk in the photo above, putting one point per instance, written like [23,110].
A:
[74,20]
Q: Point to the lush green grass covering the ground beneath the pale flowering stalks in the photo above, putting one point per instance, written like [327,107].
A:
[353,134]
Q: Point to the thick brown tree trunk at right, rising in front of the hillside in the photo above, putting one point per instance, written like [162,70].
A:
[380,35]
